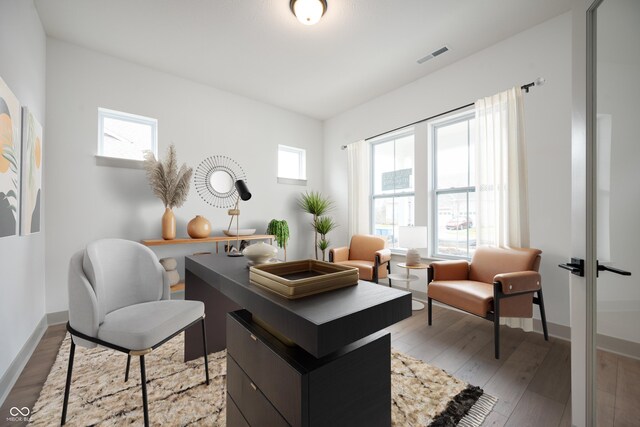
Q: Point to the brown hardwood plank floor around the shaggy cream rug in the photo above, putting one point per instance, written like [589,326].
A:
[531,379]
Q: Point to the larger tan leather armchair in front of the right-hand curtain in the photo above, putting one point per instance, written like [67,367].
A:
[497,282]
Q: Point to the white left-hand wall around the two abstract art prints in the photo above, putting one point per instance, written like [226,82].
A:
[22,294]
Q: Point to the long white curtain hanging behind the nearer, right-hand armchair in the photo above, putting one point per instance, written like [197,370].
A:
[502,211]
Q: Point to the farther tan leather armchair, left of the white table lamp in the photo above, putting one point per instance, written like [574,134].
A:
[367,253]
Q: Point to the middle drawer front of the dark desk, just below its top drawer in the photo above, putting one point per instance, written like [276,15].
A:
[255,408]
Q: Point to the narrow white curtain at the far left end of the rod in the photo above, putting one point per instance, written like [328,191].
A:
[358,159]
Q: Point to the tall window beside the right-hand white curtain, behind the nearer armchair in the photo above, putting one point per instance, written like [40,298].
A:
[453,216]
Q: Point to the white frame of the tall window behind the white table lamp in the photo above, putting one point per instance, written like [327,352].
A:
[391,136]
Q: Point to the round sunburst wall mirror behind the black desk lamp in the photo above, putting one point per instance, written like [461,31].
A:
[215,179]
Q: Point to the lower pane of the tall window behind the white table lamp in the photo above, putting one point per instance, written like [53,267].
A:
[389,214]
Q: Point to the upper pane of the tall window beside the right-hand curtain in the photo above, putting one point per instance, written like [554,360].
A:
[452,157]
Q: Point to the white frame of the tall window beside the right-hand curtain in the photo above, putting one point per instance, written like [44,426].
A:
[434,125]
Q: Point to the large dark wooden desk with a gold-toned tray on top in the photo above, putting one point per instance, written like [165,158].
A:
[338,371]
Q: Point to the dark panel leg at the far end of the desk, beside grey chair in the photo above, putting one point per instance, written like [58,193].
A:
[216,307]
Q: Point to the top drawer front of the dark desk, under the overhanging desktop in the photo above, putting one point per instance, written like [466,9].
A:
[280,383]
